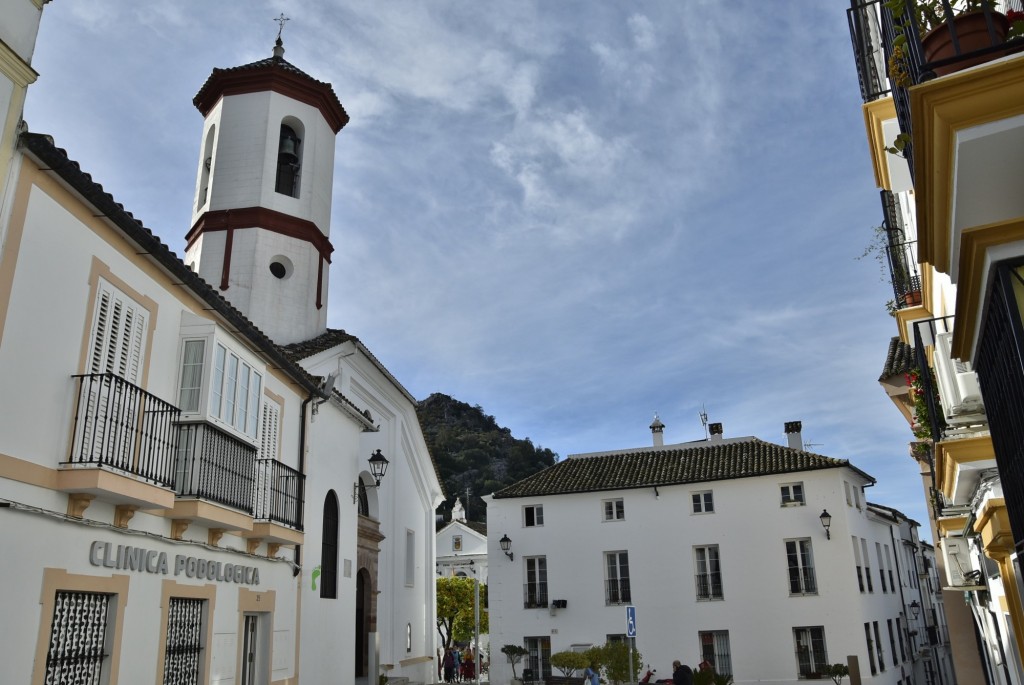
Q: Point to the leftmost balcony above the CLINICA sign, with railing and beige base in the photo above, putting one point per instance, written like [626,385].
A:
[123,444]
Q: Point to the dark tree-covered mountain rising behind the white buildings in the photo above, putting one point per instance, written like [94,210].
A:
[474,453]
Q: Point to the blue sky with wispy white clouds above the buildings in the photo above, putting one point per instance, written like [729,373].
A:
[574,215]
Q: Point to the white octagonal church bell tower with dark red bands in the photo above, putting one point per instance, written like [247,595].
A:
[262,219]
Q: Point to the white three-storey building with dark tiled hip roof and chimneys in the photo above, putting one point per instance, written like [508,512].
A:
[720,546]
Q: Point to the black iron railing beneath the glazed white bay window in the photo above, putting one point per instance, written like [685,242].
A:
[216,466]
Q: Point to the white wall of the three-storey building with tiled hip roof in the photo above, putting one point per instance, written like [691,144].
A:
[660,532]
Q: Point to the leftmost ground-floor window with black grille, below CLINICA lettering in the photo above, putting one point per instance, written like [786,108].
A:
[79,638]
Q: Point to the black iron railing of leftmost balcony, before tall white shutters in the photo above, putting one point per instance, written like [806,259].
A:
[122,426]
